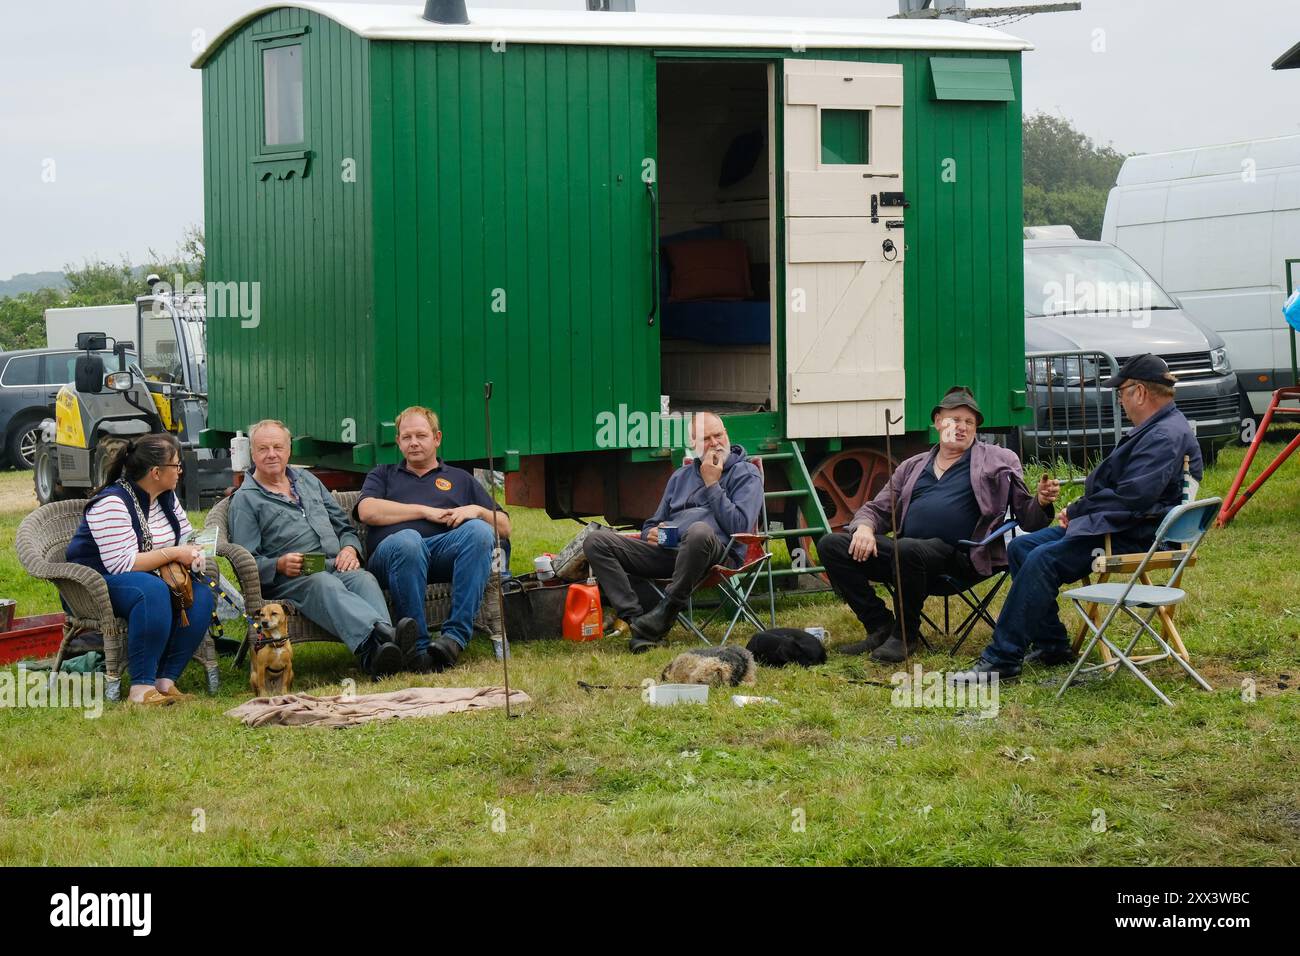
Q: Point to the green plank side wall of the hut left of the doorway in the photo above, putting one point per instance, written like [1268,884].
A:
[515,175]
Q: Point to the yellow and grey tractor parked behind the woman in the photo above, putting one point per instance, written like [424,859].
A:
[163,390]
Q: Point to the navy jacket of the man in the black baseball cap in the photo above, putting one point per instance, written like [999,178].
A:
[1141,481]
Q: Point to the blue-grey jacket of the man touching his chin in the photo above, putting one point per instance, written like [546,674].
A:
[731,505]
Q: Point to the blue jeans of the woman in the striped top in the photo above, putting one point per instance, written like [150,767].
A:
[157,644]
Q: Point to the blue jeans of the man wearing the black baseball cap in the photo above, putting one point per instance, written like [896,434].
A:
[1041,564]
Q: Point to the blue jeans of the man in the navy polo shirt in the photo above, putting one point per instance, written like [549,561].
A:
[406,564]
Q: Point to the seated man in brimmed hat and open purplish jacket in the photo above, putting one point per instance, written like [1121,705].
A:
[957,491]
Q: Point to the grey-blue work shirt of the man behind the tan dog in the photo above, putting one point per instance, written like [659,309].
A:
[270,525]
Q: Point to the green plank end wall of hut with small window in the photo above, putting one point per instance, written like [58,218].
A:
[305,241]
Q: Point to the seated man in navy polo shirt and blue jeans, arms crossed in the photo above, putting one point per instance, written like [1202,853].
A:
[430,522]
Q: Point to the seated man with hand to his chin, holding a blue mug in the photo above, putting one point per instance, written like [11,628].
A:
[712,499]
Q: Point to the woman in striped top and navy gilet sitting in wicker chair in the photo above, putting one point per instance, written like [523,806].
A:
[132,527]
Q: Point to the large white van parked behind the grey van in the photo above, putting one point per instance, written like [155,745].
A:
[1215,228]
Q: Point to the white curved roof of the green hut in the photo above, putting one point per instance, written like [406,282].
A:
[405,23]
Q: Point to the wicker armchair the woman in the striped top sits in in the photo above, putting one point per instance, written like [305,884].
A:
[42,543]
